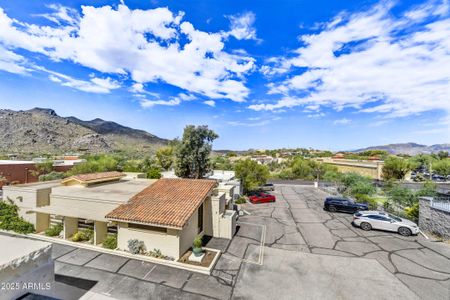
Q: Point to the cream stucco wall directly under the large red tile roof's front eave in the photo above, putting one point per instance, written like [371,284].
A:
[168,243]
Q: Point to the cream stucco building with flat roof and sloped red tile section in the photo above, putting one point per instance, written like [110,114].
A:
[166,214]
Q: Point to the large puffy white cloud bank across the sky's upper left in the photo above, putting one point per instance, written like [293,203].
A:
[152,45]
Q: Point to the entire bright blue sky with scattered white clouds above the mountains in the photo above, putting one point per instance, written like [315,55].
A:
[262,74]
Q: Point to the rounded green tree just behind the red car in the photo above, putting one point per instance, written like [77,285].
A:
[251,174]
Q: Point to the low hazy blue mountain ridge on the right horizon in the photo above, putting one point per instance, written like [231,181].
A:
[409,148]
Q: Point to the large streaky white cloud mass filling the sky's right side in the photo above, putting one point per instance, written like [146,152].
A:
[372,62]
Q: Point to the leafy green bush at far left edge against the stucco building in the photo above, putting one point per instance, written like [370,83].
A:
[10,220]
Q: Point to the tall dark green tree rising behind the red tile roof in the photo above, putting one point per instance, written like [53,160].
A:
[192,154]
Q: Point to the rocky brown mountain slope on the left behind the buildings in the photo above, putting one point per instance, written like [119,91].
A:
[42,130]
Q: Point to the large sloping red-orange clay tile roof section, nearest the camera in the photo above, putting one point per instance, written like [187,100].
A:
[169,202]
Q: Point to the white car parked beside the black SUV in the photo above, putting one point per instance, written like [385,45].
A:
[368,220]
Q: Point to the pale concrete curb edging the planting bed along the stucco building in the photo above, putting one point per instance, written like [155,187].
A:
[169,263]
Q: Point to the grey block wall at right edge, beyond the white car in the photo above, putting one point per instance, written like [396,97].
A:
[432,219]
